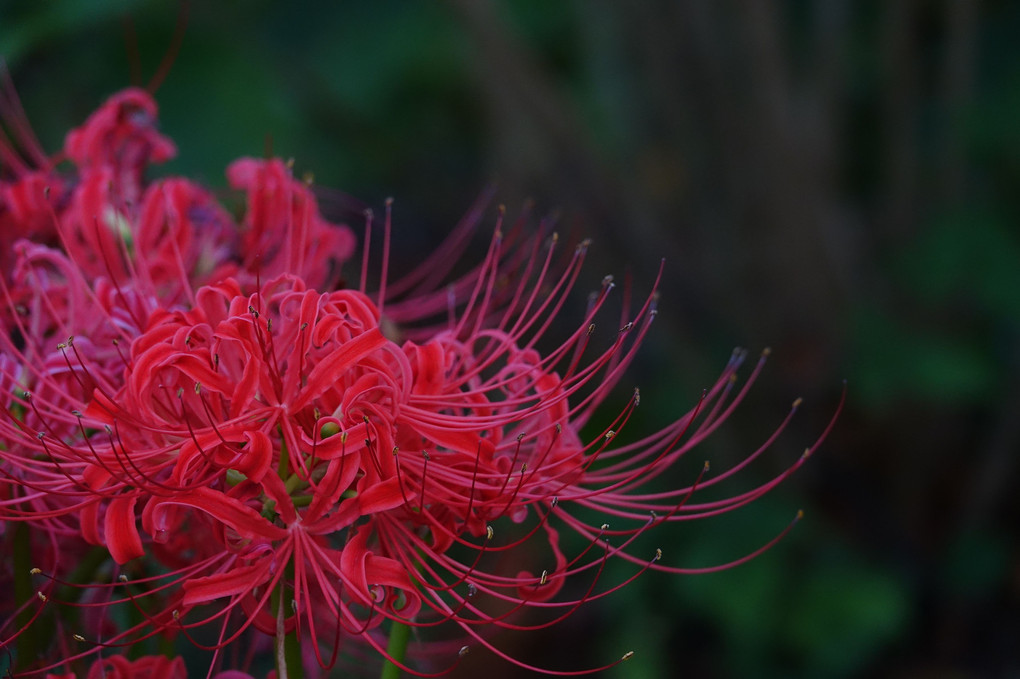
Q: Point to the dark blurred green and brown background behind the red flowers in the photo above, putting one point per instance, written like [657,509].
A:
[836,180]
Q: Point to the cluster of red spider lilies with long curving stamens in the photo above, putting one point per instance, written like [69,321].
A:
[207,436]
